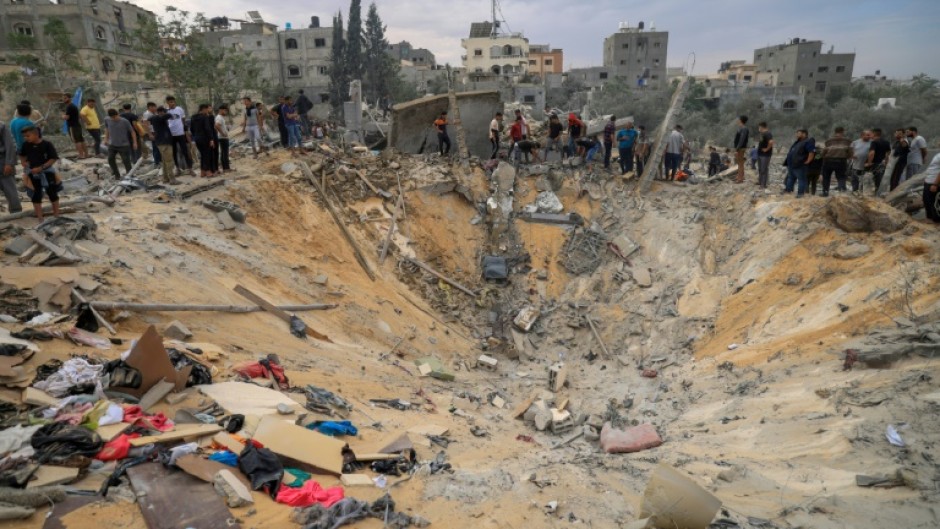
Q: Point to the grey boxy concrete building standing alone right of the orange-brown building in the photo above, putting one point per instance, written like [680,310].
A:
[637,55]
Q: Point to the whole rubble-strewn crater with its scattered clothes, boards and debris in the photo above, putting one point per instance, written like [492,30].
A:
[466,323]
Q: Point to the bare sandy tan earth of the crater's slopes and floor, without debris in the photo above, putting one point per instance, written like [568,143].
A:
[752,300]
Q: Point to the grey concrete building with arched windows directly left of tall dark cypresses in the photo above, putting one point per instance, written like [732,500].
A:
[292,59]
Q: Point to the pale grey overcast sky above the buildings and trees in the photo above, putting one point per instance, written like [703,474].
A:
[894,36]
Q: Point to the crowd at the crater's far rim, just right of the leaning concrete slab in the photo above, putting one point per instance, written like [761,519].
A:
[568,140]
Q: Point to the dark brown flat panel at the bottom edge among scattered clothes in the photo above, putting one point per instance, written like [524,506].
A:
[174,499]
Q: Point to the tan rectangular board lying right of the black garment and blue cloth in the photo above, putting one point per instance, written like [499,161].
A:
[296,443]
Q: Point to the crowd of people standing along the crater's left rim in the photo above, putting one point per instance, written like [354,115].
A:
[163,134]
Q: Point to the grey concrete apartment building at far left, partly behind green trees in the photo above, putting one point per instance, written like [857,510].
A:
[101,30]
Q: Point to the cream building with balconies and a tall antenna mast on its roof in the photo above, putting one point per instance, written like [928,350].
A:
[490,54]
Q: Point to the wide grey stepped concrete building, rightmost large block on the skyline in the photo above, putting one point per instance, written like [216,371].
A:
[802,63]
